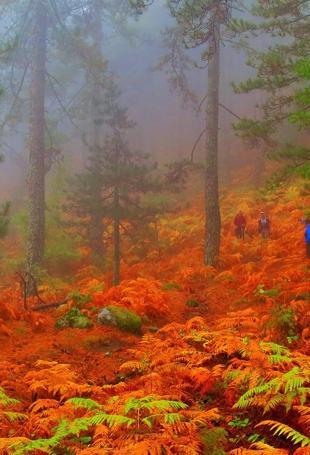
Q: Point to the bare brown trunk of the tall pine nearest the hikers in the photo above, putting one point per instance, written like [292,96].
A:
[213,218]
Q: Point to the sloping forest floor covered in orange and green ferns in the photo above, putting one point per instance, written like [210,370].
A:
[221,366]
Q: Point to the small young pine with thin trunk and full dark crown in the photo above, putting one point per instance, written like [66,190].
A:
[120,176]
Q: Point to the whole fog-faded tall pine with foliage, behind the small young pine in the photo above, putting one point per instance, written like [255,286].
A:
[91,20]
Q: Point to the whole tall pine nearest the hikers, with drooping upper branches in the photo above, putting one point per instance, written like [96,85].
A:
[202,24]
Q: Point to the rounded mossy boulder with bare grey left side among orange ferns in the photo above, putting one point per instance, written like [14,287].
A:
[120,317]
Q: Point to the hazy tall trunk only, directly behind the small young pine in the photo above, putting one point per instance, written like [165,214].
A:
[96,225]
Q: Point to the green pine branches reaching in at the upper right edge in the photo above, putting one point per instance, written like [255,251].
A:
[280,74]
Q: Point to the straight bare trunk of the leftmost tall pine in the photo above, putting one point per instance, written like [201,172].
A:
[36,178]
